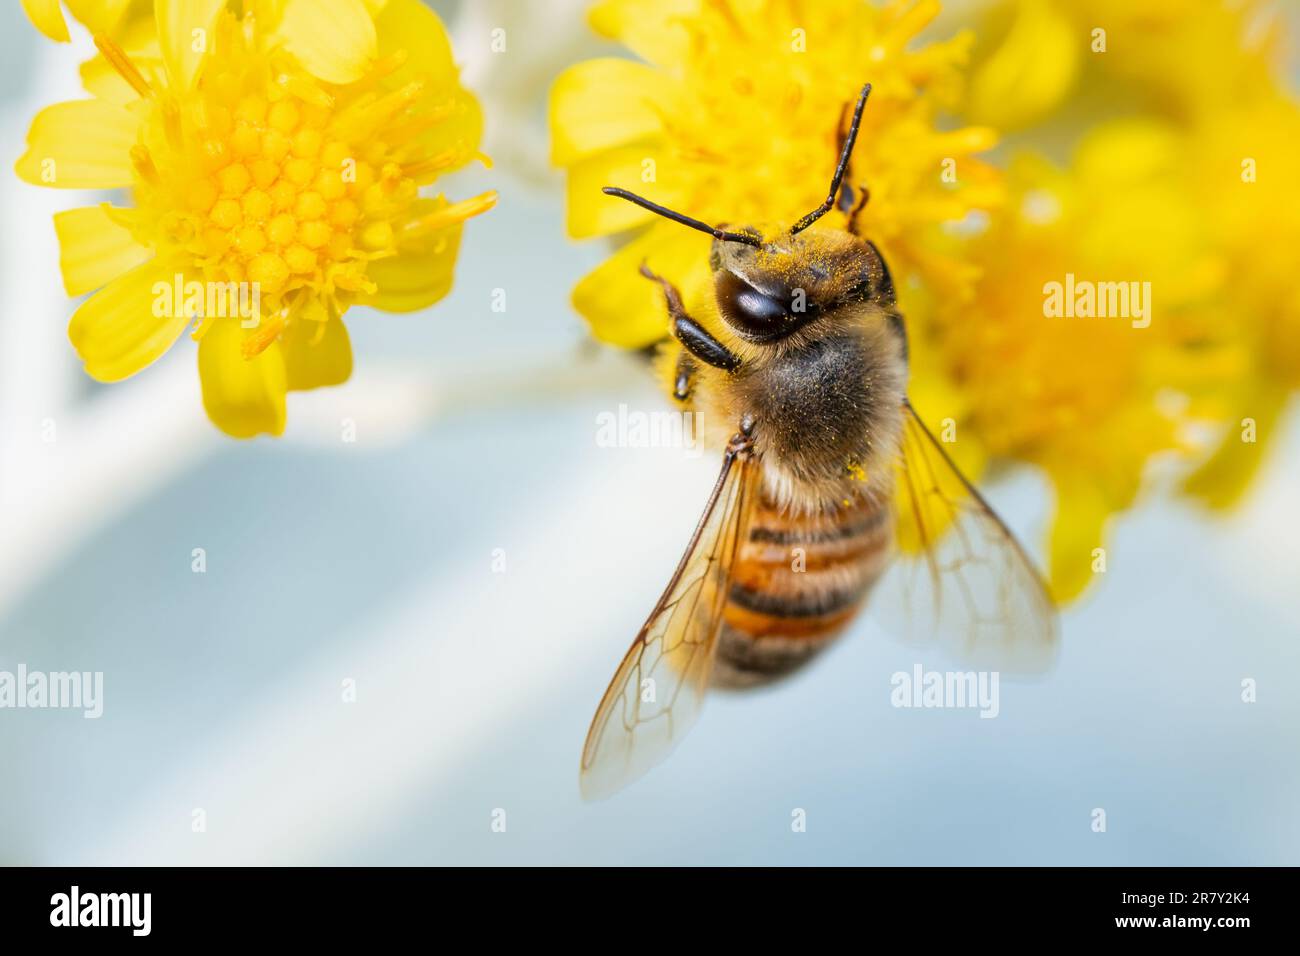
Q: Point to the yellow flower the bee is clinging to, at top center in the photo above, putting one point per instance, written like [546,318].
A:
[734,119]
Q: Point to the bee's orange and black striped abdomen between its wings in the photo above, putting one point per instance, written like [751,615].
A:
[796,583]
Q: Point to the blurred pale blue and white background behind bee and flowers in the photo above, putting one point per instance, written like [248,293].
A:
[372,561]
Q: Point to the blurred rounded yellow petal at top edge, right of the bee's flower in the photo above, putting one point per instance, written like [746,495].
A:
[1033,70]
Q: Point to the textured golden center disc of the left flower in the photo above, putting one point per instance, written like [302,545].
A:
[265,175]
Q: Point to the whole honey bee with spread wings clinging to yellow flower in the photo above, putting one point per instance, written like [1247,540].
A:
[829,478]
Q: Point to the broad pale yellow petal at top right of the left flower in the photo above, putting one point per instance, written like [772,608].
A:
[333,40]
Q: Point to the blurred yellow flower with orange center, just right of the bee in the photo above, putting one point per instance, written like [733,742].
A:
[1089,400]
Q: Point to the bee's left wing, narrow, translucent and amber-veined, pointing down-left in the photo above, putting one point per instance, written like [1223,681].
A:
[658,690]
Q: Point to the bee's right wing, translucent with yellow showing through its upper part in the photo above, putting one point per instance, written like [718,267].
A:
[960,576]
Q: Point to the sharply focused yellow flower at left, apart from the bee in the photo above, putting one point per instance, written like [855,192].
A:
[275,152]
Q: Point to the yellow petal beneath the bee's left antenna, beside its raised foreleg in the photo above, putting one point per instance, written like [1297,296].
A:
[623,306]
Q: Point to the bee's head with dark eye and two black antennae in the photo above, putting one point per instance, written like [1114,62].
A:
[770,283]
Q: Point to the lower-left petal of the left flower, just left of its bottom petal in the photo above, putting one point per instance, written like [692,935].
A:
[118,332]
